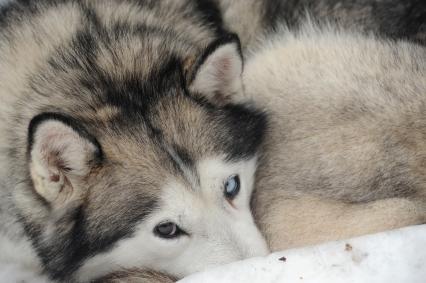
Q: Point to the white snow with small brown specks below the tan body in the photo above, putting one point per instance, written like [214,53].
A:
[393,256]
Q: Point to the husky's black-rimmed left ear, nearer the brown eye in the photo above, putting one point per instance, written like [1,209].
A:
[61,154]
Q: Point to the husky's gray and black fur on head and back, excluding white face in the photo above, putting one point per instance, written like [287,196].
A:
[121,80]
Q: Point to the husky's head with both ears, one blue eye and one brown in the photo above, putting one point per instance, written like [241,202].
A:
[162,183]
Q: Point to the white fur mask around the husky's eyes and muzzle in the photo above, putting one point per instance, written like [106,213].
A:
[195,226]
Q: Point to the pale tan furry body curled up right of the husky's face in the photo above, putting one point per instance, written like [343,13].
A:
[345,152]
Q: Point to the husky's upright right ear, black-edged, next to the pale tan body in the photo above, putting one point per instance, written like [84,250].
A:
[217,73]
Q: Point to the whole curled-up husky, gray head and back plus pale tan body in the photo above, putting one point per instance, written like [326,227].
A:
[122,146]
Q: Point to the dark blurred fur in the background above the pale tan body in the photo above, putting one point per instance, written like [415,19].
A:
[388,18]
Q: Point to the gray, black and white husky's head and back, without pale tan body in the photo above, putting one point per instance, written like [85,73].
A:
[119,147]
